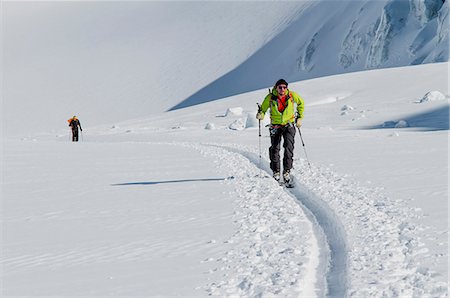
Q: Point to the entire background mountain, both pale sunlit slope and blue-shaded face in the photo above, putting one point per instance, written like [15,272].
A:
[111,61]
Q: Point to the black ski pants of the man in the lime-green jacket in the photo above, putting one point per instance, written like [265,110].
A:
[277,132]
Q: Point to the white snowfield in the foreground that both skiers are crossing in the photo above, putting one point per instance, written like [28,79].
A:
[161,206]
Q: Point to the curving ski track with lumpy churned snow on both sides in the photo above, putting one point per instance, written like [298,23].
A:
[380,262]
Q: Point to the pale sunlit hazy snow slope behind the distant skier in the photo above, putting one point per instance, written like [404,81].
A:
[110,61]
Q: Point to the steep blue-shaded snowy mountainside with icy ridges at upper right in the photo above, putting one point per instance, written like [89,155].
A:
[332,37]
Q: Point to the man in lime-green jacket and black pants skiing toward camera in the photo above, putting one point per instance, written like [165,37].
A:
[281,102]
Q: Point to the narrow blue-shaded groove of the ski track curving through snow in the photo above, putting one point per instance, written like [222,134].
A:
[327,223]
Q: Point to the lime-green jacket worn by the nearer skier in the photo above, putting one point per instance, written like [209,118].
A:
[288,115]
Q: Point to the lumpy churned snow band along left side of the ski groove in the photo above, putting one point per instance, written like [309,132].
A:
[280,251]
